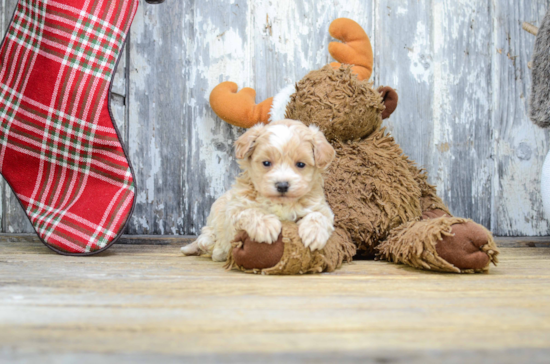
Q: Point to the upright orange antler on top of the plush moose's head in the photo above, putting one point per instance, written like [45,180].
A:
[355,50]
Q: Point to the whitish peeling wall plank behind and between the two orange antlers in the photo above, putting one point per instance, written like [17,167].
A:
[290,38]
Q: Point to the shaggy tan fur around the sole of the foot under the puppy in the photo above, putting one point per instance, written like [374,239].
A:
[296,258]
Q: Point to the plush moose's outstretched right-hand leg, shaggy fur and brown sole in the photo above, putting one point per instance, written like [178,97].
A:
[441,243]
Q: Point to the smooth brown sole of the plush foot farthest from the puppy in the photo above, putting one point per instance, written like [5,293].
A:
[469,247]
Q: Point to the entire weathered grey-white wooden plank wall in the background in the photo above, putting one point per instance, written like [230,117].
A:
[460,67]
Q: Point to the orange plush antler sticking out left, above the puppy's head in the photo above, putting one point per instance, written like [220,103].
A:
[239,108]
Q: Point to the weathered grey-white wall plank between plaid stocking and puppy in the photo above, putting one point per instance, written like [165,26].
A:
[181,151]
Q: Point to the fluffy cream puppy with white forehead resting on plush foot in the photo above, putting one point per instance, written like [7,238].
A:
[281,180]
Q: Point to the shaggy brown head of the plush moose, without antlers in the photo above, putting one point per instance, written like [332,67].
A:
[343,107]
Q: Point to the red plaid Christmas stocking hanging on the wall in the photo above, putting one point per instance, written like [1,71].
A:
[60,150]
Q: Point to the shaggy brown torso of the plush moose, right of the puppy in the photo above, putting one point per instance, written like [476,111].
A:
[371,189]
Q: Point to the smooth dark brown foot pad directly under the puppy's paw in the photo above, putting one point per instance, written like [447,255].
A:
[250,254]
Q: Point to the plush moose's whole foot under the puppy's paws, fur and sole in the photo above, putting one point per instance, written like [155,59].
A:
[288,255]
